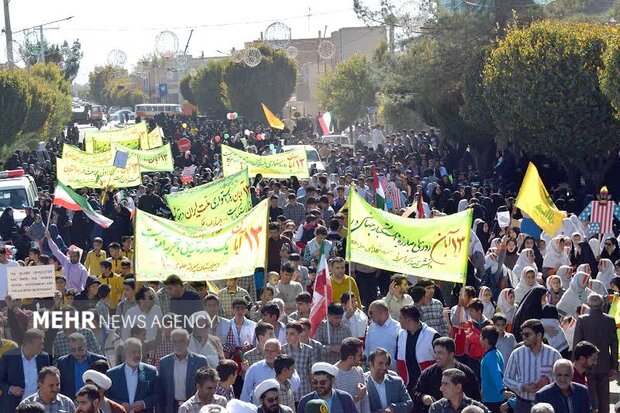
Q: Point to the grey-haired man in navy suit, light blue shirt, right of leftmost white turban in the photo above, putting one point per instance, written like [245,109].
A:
[135,385]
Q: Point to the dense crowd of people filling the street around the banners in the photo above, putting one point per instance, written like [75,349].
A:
[528,331]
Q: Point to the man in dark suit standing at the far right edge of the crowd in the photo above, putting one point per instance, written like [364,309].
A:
[599,329]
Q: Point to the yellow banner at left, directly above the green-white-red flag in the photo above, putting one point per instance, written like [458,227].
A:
[85,175]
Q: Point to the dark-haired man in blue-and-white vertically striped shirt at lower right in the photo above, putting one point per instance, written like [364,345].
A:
[530,367]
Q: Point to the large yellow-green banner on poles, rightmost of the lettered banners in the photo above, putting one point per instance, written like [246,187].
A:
[432,248]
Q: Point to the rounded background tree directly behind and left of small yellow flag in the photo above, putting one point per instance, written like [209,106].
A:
[271,82]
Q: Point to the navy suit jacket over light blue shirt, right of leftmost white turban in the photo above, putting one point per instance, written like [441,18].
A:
[148,389]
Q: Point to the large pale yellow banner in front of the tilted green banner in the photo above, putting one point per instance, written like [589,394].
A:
[165,247]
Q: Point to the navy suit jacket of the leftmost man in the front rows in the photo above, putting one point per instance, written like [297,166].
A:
[12,374]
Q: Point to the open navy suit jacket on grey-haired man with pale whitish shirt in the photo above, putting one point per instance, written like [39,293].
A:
[166,377]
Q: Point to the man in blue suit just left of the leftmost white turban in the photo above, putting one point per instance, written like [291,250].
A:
[75,364]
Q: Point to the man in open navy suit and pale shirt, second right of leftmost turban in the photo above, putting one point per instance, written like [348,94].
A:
[178,372]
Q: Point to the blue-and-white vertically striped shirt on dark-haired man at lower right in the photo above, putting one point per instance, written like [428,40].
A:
[524,366]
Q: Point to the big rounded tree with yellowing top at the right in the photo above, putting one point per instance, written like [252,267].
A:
[541,85]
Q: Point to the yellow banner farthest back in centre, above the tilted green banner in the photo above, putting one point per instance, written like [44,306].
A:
[282,165]
